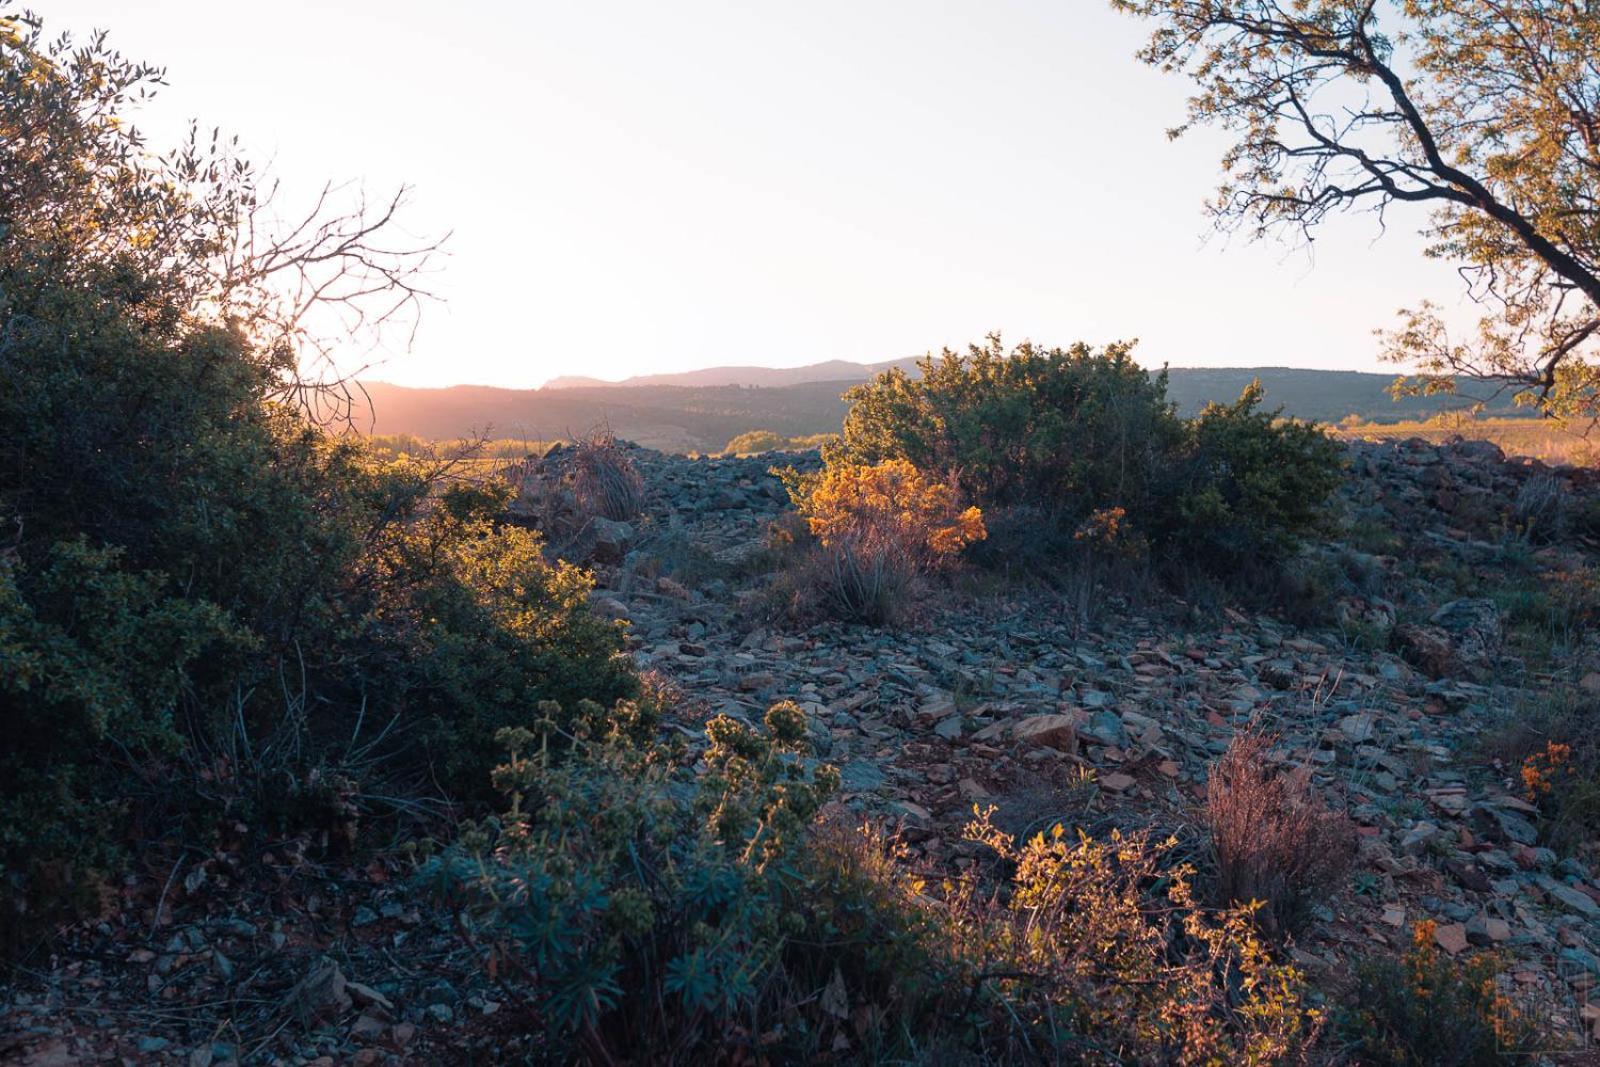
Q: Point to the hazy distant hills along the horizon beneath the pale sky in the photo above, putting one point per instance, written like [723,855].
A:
[678,417]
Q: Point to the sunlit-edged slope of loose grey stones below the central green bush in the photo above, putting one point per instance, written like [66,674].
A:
[1017,701]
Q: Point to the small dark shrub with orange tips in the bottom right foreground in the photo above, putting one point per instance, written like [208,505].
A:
[1425,1010]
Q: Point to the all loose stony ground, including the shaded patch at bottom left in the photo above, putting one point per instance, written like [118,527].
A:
[1012,700]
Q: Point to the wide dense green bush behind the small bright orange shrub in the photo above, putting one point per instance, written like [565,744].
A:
[1066,438]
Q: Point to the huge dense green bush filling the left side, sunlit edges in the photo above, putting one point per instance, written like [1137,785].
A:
[198,583]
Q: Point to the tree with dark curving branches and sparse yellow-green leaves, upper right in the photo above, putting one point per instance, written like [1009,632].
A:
[1487,113]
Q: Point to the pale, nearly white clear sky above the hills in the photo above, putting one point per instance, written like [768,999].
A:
[642,188]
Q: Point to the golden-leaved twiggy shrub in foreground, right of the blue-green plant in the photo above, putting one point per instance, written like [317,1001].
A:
[1086,954]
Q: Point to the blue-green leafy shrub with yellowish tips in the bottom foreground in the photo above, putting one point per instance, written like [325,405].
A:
[646,908]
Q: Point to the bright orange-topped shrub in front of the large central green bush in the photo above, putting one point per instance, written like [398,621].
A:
[879,530]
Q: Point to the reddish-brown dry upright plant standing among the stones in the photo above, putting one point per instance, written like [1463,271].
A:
[1273,837]
